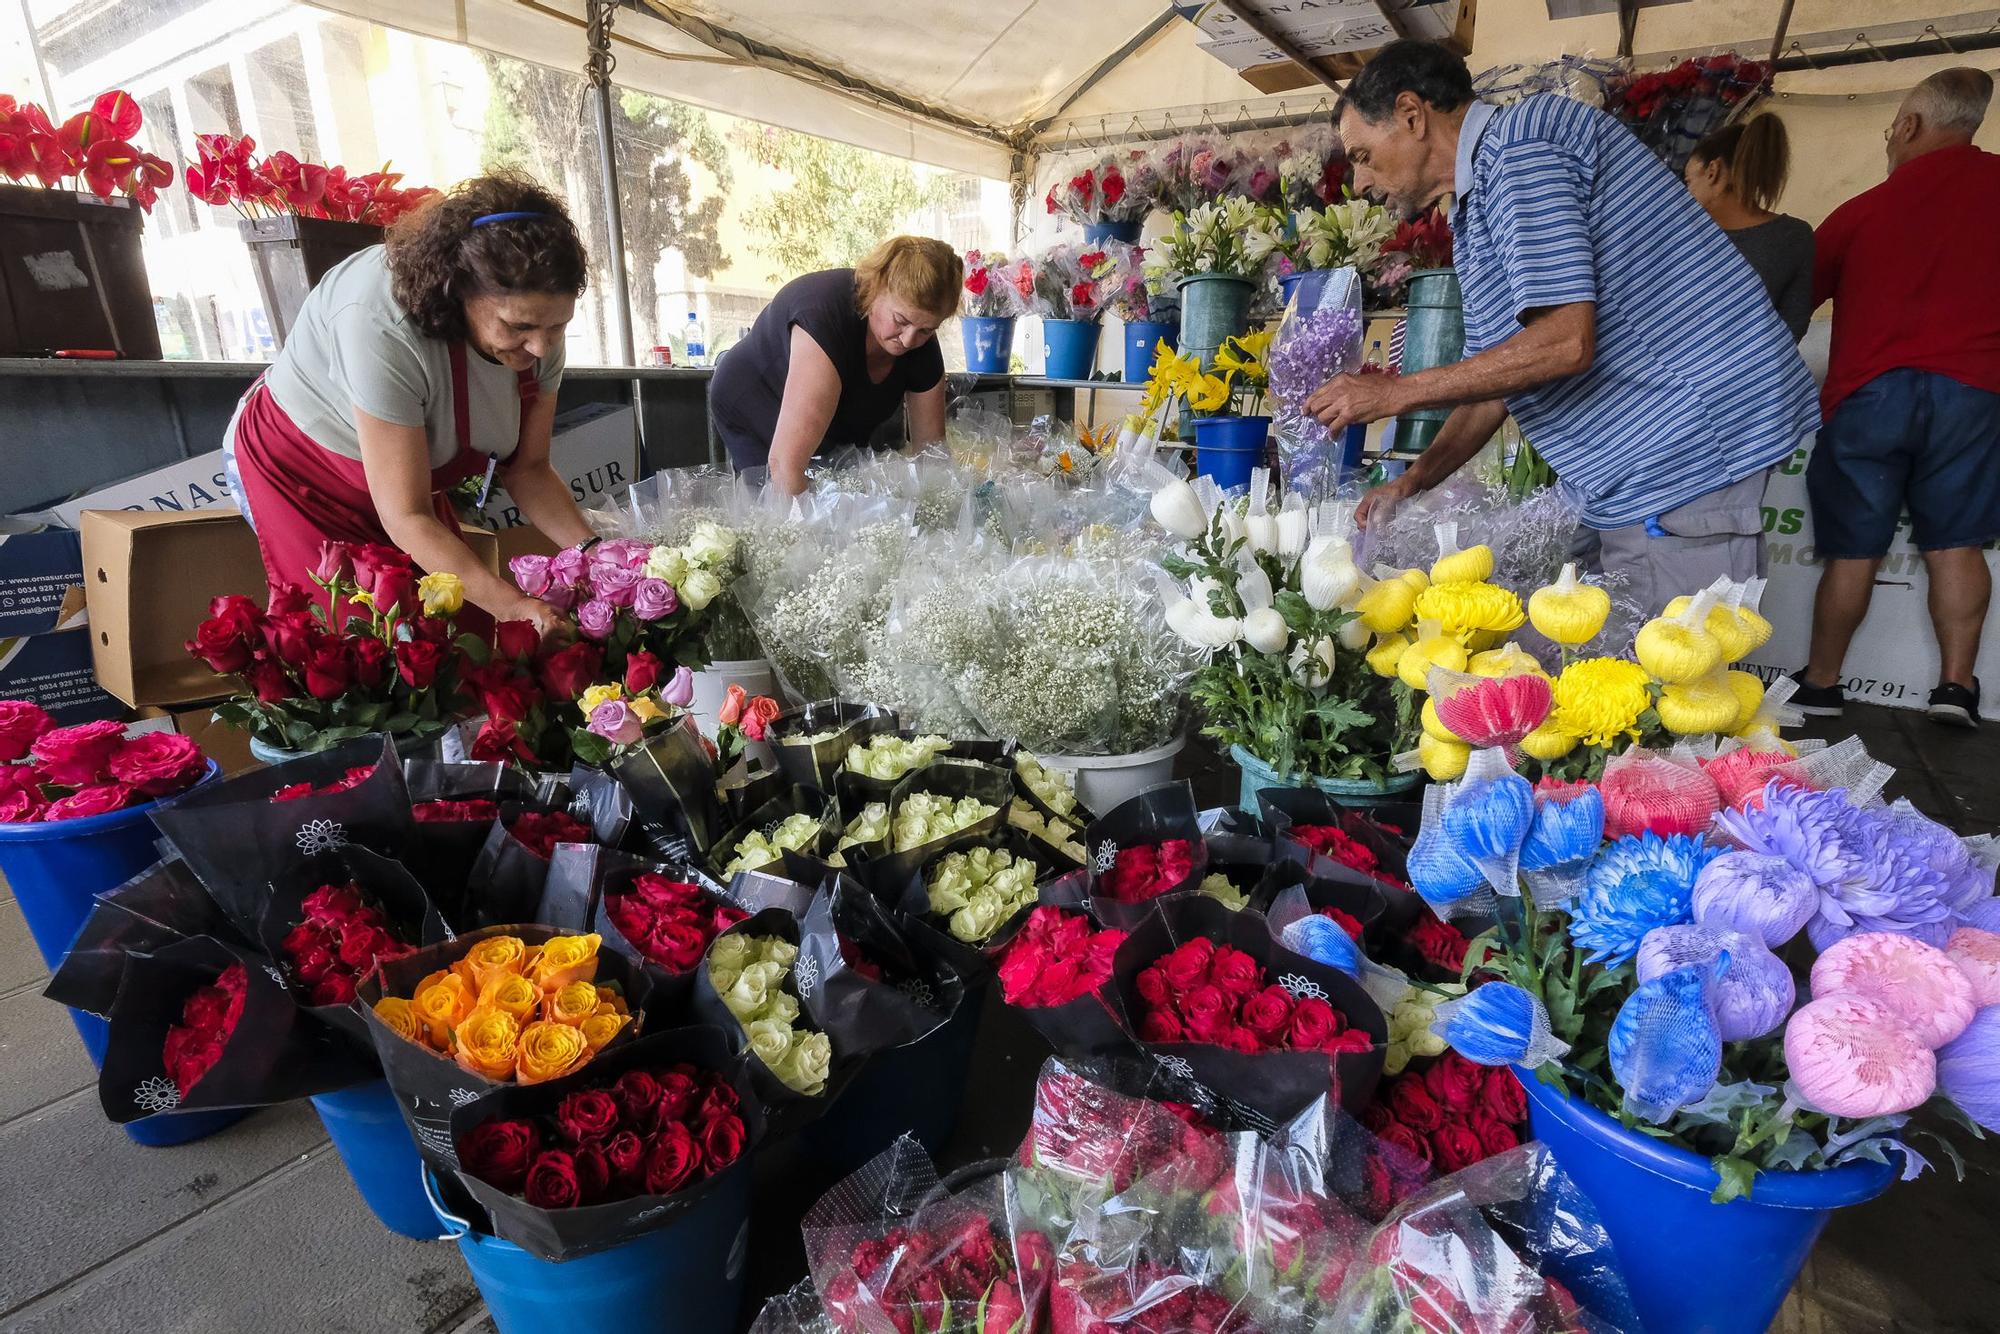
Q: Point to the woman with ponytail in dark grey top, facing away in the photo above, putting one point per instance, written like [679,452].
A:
[1737,175]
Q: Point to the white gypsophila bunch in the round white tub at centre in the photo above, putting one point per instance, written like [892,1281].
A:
[1083,661]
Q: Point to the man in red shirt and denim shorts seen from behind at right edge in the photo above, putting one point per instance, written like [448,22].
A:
[1913,389]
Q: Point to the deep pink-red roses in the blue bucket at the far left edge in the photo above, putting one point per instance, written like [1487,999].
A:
[91,769]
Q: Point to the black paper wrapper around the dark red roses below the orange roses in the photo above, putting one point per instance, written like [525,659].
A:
[561,1235]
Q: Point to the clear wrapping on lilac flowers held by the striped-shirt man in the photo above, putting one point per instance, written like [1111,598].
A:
[1319,339]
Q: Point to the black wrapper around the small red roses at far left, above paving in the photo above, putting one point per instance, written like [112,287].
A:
[275,1053]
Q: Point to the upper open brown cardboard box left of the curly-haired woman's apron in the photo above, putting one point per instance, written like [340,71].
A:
[149,581]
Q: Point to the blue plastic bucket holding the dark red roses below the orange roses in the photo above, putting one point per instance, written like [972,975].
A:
[685,1279]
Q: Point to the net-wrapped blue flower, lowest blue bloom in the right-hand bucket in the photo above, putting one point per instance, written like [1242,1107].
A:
[1665,1045]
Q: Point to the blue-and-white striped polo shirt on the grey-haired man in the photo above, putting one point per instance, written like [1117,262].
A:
[1695,383]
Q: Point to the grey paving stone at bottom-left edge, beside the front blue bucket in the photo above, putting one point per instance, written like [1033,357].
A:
[297,1251]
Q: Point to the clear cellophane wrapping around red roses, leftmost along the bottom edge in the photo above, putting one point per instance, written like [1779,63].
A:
[893,1251]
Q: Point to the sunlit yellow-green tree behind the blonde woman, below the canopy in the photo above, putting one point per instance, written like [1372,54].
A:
[841,201]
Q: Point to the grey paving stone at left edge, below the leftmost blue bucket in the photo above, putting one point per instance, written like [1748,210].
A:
[79,1191]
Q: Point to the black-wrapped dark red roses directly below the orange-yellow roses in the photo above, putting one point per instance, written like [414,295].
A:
[593,1161]
